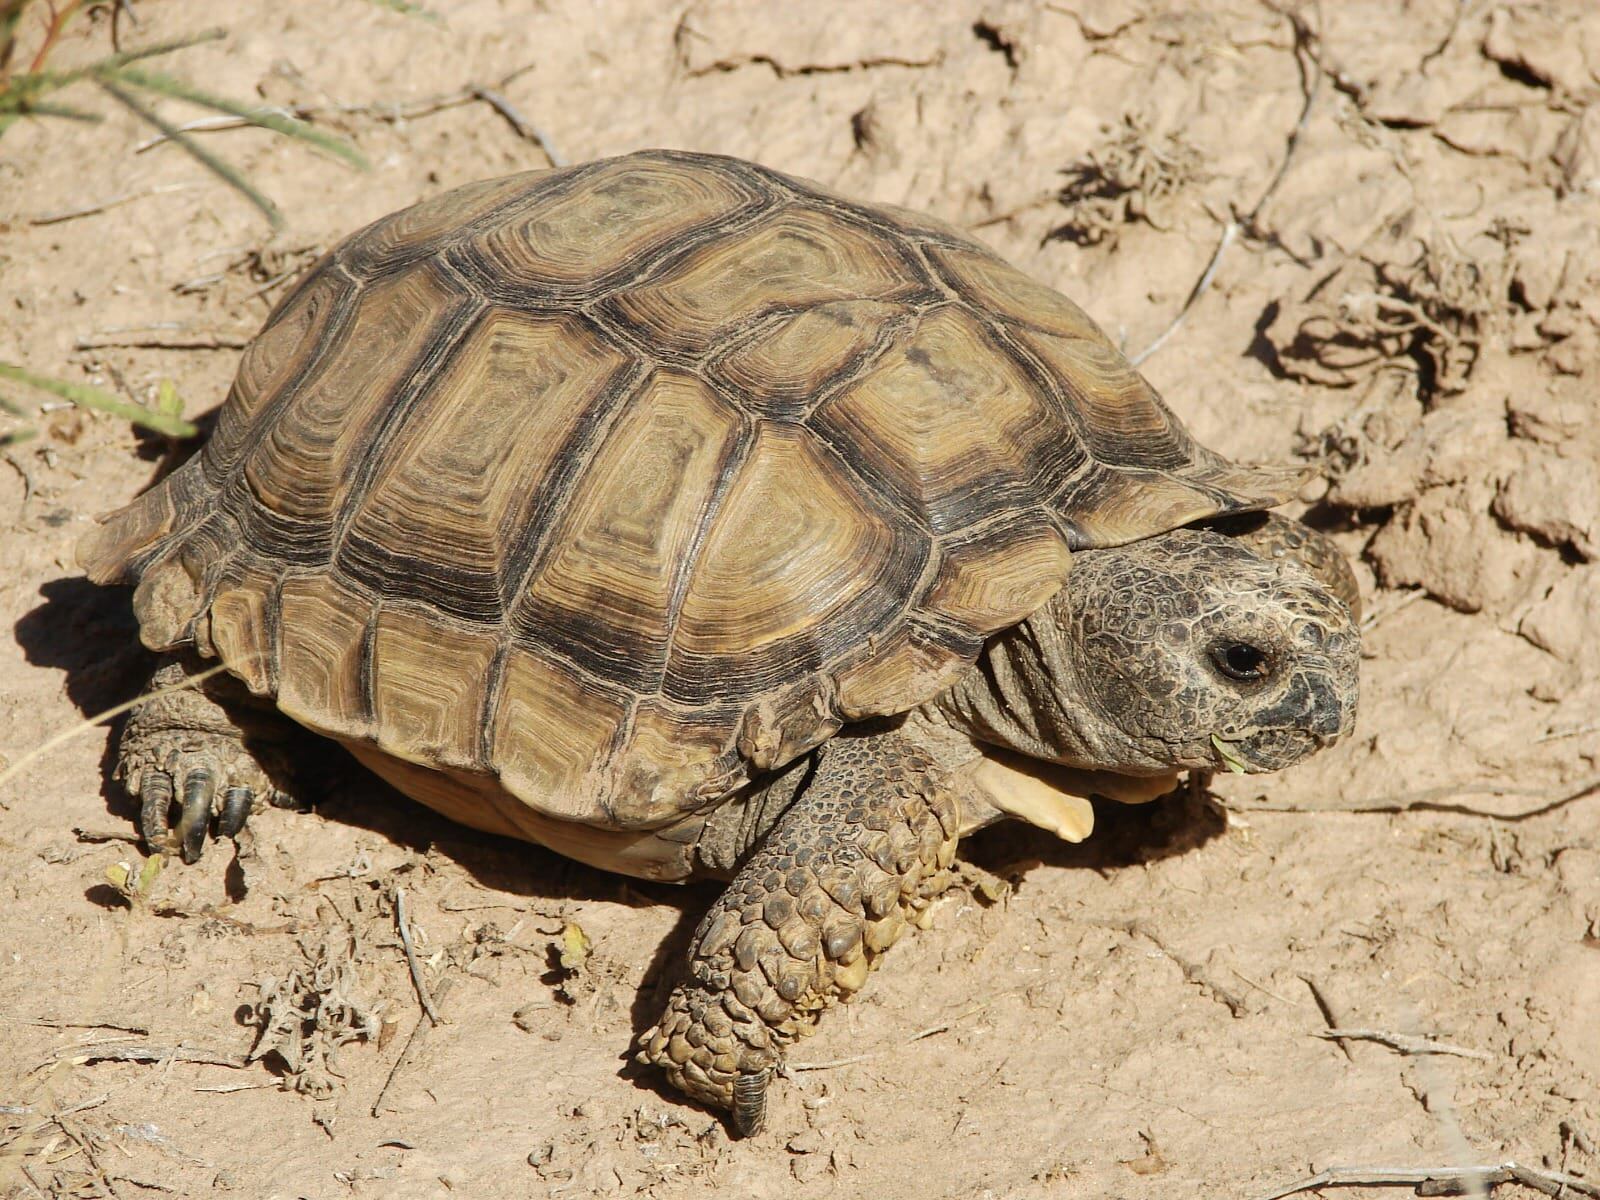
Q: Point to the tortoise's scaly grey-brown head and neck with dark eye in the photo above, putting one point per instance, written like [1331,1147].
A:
[1186,650]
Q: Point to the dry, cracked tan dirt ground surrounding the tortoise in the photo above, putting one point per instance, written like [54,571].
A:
[1407,202]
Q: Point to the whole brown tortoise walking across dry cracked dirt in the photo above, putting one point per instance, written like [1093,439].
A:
[694,521]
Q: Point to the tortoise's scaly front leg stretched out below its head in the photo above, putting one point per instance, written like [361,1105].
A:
[834,884]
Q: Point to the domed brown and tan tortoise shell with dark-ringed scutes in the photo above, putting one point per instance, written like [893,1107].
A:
[626,481]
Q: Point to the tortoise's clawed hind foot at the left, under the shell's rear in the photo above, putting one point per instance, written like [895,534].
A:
[201,750]
